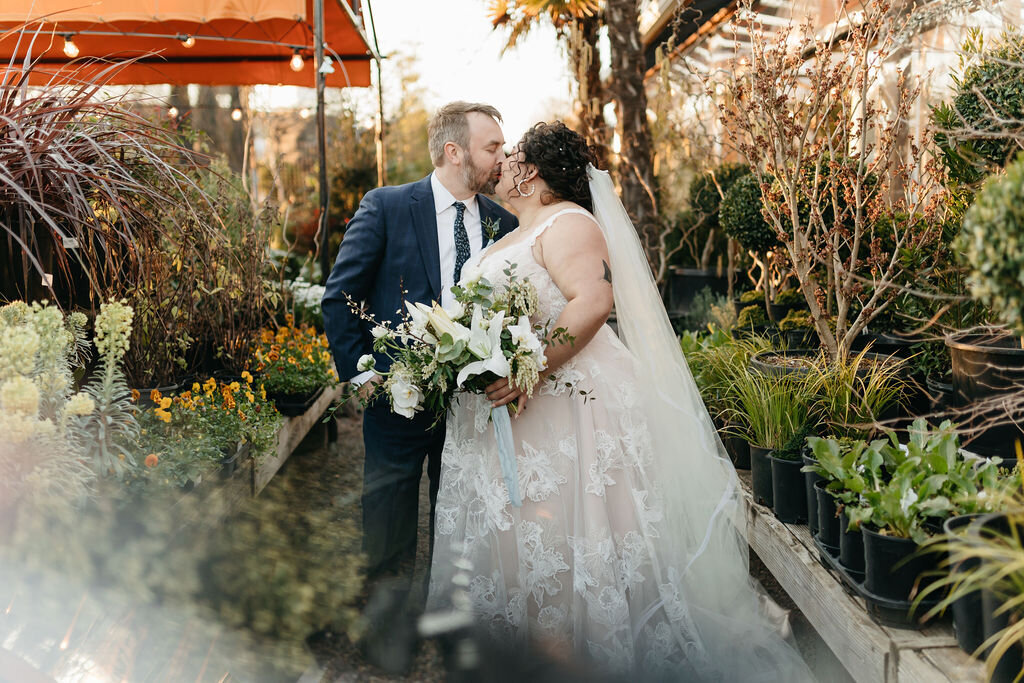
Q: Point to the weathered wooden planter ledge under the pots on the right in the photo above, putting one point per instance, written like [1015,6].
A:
[871,653]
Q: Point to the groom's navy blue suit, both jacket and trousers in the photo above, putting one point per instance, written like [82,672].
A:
[390,255]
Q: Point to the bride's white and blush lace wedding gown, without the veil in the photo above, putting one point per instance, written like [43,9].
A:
[581,565]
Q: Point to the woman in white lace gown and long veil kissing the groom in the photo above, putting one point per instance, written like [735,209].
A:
[629,547]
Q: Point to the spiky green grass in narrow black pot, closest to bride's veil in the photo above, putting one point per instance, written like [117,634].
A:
[771,410]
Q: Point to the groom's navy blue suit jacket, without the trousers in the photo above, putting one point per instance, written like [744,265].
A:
[391,245]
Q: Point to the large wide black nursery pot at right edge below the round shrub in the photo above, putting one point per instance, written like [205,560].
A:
[987,367]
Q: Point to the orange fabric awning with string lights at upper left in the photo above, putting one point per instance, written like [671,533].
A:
[236,42]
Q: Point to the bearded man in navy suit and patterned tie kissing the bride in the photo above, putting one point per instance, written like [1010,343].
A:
[409,243]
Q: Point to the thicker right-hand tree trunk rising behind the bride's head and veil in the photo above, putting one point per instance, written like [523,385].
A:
[636,169]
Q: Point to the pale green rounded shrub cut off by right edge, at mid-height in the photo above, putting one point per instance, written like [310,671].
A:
[993,245]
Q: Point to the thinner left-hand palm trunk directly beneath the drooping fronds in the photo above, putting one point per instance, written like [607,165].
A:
[586,63]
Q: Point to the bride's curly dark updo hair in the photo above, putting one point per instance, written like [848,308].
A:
[562,156]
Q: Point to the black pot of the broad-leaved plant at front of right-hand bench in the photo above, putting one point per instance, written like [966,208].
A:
[891,571]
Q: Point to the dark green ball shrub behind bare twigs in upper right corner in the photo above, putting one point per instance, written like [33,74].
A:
[978,133]
